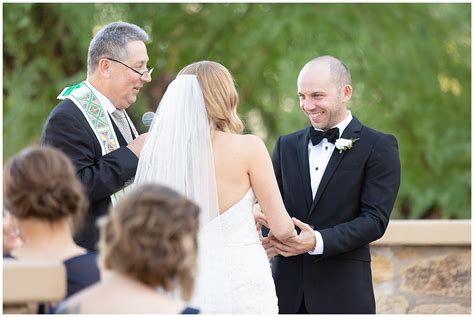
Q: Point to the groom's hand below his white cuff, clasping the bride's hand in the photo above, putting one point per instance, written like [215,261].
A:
[302,243]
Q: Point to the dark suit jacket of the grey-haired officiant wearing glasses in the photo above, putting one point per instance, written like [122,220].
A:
[67,129]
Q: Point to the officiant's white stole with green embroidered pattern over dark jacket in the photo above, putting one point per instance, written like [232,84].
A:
[97,117]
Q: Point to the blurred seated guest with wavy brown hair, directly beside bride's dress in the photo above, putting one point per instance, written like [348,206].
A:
[148,250]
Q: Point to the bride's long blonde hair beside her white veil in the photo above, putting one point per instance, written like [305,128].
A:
[220,95]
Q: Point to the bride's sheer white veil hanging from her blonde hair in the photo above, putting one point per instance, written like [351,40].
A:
[178,150]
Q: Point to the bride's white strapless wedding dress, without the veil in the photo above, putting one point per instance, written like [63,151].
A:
[234,275]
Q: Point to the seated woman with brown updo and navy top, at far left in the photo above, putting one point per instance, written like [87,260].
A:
[46,200]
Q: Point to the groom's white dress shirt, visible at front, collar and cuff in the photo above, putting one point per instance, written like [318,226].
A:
[319,156]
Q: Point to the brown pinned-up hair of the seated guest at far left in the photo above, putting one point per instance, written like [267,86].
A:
[40,182]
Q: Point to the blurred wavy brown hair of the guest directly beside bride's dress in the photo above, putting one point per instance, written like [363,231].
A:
[151,236]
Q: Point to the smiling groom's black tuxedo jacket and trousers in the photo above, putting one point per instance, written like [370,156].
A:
[351,209]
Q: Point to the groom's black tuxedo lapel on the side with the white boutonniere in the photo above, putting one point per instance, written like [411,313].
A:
[352,131]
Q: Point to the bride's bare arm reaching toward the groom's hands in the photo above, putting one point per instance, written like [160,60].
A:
[265,186]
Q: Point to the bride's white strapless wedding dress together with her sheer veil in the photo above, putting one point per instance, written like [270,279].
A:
[233,273]
